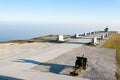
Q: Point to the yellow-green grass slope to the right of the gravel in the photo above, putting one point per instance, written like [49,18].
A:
[114,42]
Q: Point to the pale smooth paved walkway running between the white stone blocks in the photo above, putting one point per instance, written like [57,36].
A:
[19,66]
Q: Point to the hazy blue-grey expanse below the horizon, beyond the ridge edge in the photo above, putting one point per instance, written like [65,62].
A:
[19,32]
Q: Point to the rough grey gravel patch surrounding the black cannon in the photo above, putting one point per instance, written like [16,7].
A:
[101,63]
